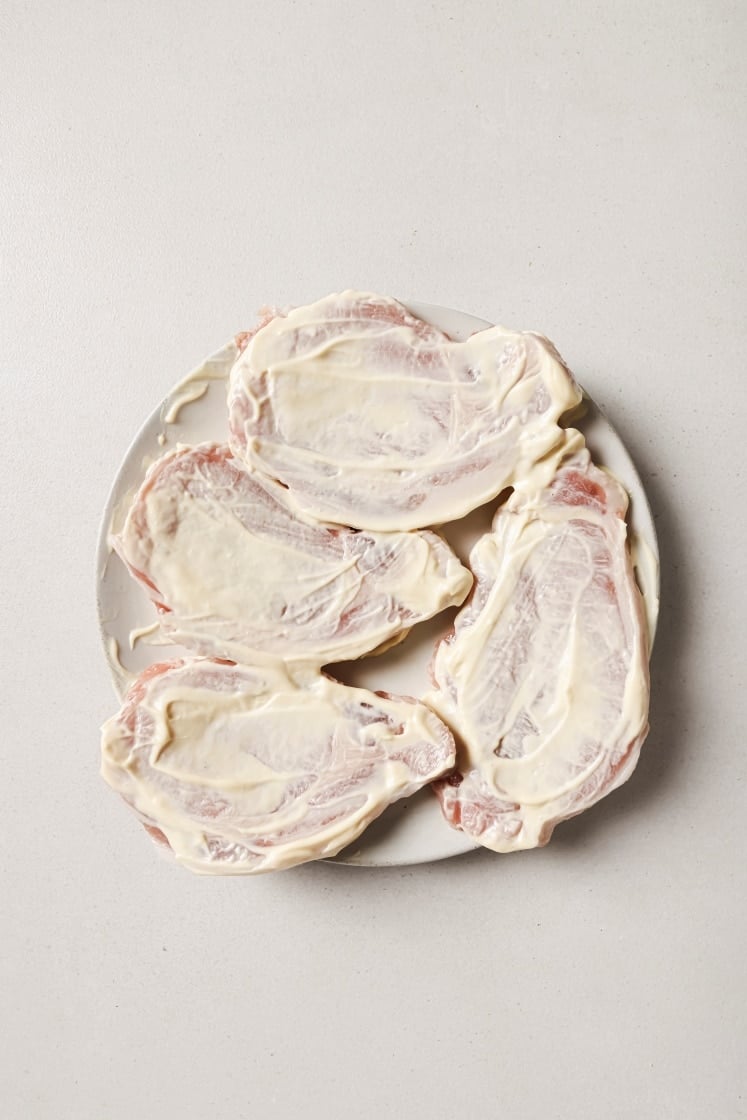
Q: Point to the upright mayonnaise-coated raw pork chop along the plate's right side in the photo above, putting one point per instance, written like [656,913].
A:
[546,675]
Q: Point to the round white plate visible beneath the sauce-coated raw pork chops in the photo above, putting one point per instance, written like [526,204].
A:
[412,832]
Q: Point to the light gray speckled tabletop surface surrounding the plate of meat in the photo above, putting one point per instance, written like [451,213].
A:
[578,170]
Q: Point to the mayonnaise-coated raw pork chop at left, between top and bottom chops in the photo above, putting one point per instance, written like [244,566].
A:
[236,573]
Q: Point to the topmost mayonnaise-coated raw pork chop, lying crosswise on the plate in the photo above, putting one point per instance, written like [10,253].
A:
[375,419]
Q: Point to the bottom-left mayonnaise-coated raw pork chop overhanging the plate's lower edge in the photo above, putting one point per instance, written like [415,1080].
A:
[241,769]
